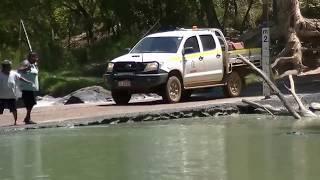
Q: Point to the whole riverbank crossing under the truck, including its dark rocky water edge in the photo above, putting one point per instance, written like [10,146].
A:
[202,104]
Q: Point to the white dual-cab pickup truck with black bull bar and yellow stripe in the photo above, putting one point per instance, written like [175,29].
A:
[173,64]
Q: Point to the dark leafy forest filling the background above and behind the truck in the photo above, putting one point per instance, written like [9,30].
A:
[70,34]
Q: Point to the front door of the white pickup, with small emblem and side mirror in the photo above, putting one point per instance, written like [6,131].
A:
[193,63]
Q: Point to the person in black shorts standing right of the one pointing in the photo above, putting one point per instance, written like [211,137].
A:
[29,70]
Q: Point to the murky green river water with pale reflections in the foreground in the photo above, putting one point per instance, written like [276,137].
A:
[227,148]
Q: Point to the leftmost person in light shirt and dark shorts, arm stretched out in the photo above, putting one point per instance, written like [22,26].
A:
[8,88]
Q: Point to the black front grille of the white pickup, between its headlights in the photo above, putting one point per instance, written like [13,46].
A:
[120,67]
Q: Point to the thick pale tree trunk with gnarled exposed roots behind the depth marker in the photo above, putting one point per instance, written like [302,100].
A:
[303,32]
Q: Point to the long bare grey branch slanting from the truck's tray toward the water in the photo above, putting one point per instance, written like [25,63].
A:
[272,86]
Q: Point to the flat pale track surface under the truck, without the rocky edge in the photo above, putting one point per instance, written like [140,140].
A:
[101,111]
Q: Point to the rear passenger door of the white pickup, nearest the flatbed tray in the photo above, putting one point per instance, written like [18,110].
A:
[212,58]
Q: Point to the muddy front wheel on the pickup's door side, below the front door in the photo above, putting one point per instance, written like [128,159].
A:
[172,90]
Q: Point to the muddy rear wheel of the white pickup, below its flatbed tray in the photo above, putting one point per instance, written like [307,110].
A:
[233,85]
